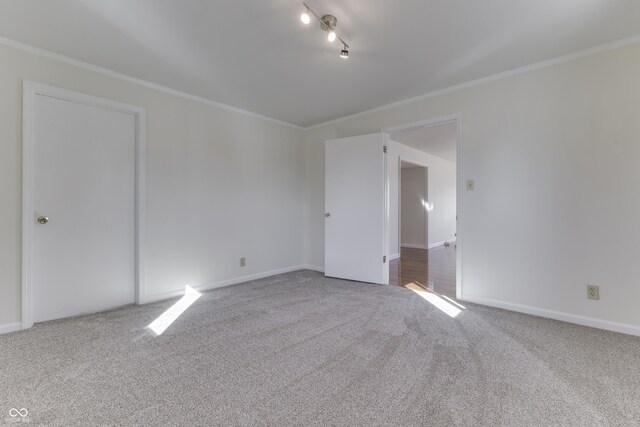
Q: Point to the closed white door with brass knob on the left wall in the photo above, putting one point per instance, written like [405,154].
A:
[83,198]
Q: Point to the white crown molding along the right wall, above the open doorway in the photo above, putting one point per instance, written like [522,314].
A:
[521,70]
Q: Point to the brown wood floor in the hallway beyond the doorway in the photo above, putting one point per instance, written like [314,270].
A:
[434,267]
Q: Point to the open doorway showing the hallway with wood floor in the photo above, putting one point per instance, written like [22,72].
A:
[423,206]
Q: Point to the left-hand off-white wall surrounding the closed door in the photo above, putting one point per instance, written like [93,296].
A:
[220,185]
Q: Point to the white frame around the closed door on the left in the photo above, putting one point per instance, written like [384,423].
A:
[29,92]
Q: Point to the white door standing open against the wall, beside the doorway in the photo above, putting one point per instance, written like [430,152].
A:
[356,217]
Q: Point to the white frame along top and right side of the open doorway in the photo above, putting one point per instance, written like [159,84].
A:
[460,186]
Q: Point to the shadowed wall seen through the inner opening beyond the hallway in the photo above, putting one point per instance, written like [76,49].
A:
[413,213]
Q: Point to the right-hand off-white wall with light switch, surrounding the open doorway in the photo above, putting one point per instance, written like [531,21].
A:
[554,153]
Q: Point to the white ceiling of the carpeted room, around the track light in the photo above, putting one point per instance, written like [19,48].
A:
[258,56]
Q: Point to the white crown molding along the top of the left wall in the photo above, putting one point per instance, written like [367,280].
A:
[111,73]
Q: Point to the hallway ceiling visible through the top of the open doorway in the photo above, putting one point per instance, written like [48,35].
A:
[438,140]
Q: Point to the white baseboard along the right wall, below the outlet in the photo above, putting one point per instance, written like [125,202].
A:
[623,328]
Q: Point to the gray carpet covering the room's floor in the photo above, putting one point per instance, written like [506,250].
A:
[301,349]
